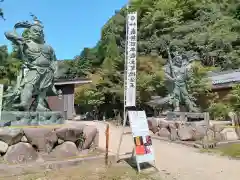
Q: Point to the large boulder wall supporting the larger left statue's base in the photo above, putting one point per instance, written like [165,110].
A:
[22,145]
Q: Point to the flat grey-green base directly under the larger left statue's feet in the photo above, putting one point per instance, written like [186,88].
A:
[20,118]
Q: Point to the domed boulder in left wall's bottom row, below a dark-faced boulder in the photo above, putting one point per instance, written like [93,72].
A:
[65,150]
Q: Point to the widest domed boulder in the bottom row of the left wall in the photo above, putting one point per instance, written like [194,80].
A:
[20,153]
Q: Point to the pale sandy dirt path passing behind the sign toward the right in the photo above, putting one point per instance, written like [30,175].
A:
[177,161]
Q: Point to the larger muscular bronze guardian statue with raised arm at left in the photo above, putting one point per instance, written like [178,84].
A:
[39,67]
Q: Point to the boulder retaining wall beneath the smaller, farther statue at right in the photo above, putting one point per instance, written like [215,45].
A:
[186,131]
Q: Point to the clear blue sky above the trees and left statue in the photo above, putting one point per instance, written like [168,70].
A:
[69,25]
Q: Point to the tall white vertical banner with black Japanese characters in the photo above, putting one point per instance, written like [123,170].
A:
[131,60]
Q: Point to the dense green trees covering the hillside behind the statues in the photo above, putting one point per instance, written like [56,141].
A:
[209,28]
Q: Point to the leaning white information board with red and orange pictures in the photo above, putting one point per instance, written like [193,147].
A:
[142,139]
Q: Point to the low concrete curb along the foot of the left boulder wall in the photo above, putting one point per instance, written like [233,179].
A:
[7,170]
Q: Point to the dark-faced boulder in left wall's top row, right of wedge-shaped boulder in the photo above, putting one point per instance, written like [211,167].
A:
[70,133]
